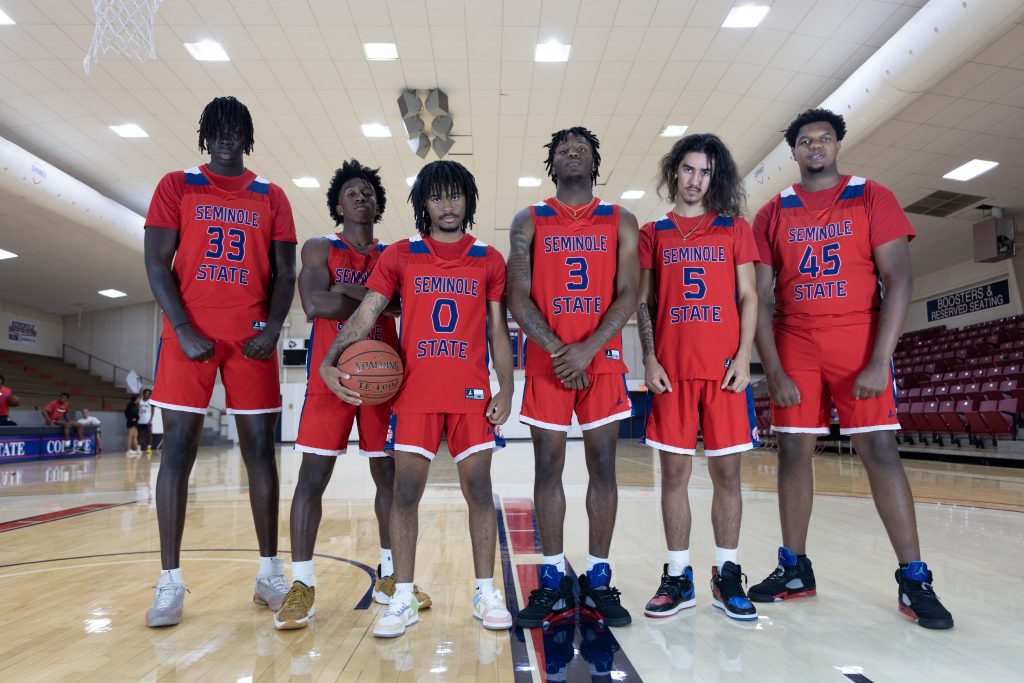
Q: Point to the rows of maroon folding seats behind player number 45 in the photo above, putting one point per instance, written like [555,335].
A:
[962,388]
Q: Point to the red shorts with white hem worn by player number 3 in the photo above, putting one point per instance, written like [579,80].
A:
[547,404]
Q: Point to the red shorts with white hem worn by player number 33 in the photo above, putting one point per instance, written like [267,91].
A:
[251,387]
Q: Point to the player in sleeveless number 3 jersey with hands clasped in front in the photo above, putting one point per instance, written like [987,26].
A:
[573,285]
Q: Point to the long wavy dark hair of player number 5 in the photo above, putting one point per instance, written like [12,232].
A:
[726,192]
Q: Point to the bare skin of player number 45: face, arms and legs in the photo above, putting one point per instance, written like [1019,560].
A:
[817,155]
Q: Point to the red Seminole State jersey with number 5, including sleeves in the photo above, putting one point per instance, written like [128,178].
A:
[697,326]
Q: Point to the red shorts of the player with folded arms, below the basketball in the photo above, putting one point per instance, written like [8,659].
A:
[327,423]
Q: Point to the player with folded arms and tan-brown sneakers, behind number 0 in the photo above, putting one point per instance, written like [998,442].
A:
[332,284]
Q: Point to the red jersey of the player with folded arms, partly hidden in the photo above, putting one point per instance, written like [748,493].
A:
[352,268]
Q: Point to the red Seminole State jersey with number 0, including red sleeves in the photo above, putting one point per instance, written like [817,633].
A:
[445,289]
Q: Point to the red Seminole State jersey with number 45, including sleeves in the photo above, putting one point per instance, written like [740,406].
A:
[821,246]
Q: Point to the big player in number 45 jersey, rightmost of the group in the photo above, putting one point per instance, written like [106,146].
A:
[826,245]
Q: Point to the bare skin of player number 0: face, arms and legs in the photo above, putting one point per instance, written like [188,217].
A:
[447,212]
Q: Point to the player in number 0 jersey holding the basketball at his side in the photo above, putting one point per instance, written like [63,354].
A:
[452,289]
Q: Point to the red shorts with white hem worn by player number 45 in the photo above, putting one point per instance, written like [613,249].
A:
[825,364]
